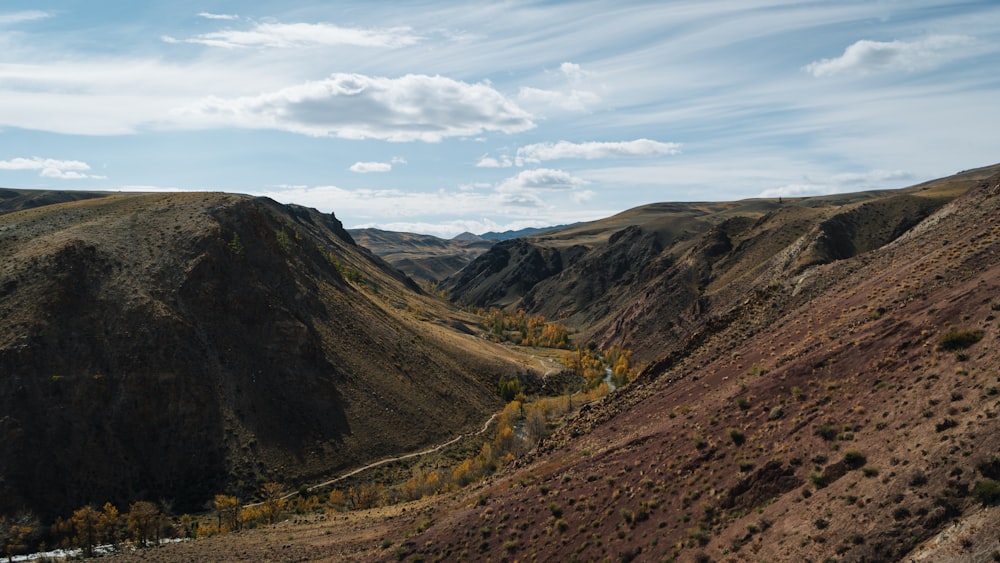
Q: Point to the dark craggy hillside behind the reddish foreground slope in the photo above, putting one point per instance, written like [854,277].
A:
[655,274]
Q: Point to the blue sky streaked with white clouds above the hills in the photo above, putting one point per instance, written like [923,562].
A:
[442,117]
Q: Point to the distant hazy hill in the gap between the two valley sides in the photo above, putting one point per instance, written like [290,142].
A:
[425,258]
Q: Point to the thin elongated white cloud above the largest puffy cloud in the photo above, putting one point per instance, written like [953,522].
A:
[286,35]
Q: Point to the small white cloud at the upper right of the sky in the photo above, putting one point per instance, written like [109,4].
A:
[867,57]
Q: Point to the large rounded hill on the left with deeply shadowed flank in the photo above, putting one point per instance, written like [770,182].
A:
[174,346]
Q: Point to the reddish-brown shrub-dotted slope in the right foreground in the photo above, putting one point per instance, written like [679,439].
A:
[716,453]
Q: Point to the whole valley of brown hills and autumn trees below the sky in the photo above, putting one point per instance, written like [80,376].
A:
[803,379]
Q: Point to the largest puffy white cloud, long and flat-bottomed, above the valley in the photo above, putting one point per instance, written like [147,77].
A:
[353,106]
